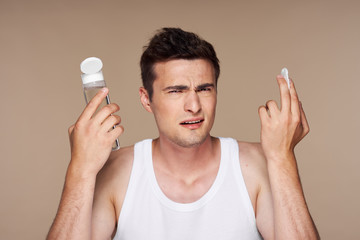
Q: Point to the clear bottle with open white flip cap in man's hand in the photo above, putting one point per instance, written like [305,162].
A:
[93,81]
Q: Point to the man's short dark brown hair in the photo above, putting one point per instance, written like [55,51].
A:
[174,43]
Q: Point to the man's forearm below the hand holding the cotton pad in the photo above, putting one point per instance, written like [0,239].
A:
[291,215]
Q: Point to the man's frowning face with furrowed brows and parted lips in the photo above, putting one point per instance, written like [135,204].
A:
[184,100]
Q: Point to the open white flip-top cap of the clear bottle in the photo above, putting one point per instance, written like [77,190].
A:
[91,68]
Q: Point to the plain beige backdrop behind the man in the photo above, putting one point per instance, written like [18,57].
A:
[43,42]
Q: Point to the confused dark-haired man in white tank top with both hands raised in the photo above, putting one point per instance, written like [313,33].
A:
[185,184]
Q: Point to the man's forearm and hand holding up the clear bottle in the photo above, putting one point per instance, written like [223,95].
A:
[91,144]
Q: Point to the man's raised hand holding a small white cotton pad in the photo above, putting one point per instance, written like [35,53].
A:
[282,129]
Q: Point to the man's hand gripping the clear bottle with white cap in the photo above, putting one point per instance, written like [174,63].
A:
[92,136]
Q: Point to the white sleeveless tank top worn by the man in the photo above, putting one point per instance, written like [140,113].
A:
[225,212]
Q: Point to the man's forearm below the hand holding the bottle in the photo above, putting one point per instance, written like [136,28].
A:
[73,219]
